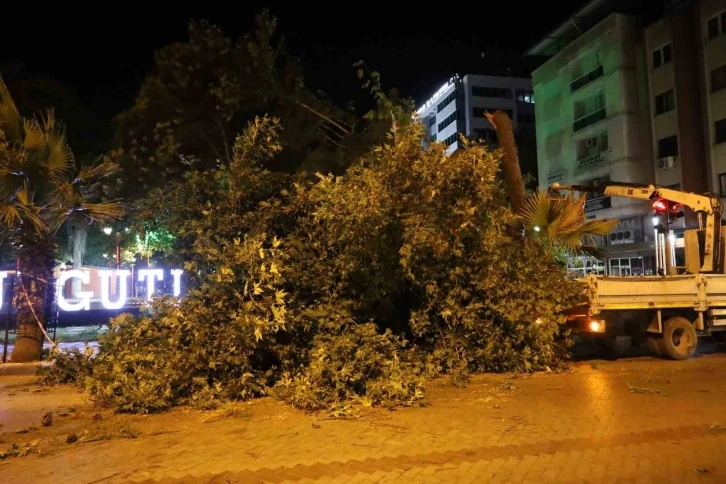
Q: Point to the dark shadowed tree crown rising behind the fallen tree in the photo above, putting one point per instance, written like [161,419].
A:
[200,95]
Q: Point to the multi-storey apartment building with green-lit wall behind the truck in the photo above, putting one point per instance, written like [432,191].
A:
[631,100]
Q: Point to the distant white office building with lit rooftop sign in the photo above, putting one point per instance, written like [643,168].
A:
[459,106]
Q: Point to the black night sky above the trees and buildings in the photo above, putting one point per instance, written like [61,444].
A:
[103,56]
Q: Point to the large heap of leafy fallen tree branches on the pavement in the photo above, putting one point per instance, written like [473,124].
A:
[340,290]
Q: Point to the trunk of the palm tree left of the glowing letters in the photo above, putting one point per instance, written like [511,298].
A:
[35,266]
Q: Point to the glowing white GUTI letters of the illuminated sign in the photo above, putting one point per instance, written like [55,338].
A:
[82,299]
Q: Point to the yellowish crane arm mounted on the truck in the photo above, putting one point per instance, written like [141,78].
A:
[708,204]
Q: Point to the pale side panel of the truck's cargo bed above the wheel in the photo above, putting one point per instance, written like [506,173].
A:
[697,291]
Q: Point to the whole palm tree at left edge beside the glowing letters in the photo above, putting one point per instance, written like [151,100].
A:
[41,190]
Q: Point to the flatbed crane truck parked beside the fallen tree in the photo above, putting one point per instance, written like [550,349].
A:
[670,310]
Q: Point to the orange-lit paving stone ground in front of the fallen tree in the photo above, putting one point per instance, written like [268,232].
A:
[631,420]
